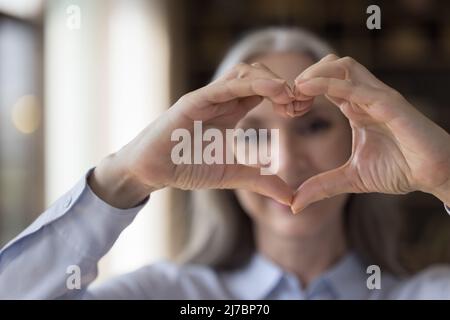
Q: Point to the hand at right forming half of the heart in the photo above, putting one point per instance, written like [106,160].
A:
[395,148]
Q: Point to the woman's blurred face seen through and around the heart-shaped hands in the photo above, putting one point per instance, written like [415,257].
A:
[313,143]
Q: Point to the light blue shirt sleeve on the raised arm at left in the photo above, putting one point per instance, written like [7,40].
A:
[56,256]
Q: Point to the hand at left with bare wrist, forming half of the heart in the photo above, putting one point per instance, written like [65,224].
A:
[125,178]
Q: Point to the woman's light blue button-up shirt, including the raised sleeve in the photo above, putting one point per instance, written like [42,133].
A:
[80,228]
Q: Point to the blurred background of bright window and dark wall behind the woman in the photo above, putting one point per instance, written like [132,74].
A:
[80,78]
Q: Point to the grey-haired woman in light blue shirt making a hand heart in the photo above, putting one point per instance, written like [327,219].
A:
[389,147]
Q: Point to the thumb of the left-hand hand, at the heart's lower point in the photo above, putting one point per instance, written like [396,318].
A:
[250,178]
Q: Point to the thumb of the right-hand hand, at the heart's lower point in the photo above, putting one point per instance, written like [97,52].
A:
[325,185]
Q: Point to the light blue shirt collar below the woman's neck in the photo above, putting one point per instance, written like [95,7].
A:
[345,280]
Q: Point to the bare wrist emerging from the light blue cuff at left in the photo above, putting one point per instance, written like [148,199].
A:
[117,186]
